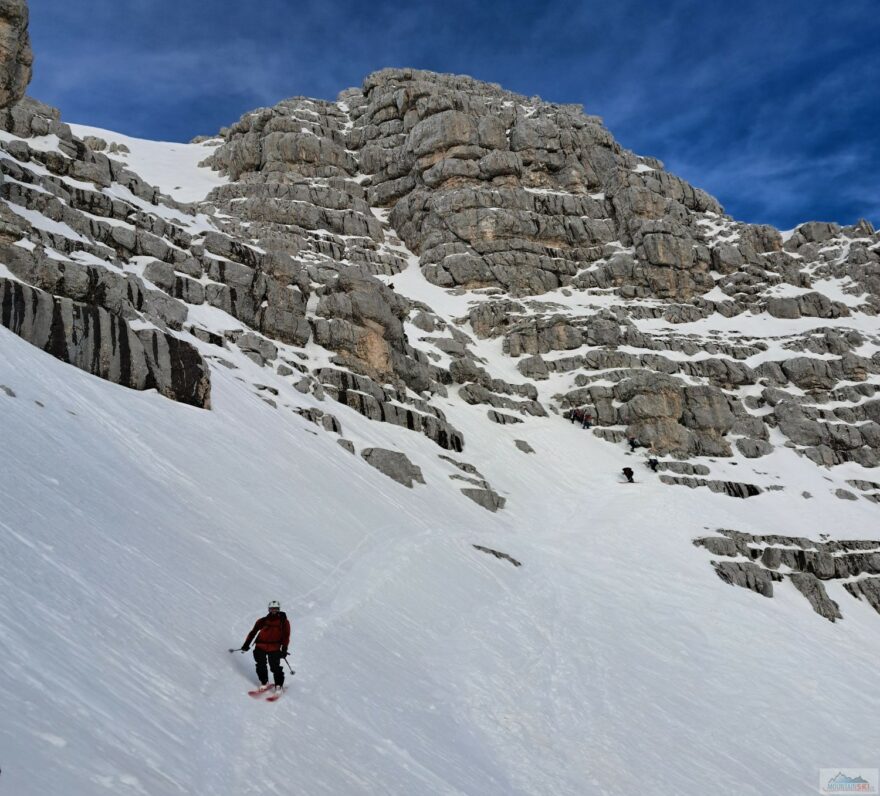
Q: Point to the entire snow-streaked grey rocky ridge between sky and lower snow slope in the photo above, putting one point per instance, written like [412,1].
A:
[610,284]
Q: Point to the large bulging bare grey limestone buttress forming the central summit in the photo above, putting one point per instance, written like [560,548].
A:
[492,190]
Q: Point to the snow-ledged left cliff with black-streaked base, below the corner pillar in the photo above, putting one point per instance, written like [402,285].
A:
[67,292]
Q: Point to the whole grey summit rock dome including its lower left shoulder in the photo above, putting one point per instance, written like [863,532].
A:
[489,188]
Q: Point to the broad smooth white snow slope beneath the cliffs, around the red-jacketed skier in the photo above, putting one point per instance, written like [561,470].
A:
[141,538]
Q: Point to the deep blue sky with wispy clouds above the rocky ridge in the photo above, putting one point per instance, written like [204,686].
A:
[773,106]
